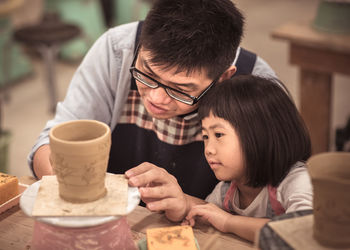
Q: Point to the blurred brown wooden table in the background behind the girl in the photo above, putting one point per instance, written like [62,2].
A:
[318,55]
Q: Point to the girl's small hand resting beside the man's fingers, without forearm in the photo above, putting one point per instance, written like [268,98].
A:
[209,213]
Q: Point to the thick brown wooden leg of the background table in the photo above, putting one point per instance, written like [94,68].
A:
[315,106]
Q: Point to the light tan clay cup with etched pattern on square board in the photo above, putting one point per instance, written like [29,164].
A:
[79,156]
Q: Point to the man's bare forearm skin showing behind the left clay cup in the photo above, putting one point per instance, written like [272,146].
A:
[41,162]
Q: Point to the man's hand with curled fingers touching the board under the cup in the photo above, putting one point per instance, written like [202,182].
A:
[159,190]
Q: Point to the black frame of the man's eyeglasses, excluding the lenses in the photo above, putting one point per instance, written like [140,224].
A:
[159,84]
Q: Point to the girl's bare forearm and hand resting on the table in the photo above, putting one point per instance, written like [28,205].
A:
[245,227]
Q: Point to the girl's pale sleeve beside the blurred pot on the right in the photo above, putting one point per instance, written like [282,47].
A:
[295,191]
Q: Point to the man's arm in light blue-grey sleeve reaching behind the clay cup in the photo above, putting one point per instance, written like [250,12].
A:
[97,90]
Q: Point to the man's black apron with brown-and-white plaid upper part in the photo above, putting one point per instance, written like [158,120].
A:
[174,144]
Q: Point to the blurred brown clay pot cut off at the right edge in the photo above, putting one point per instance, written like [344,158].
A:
[330,175]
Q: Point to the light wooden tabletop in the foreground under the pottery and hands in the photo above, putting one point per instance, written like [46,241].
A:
[16,230]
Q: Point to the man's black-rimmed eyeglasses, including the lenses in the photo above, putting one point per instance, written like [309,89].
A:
[173,93]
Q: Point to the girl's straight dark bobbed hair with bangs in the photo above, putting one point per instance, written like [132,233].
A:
[272,133]
